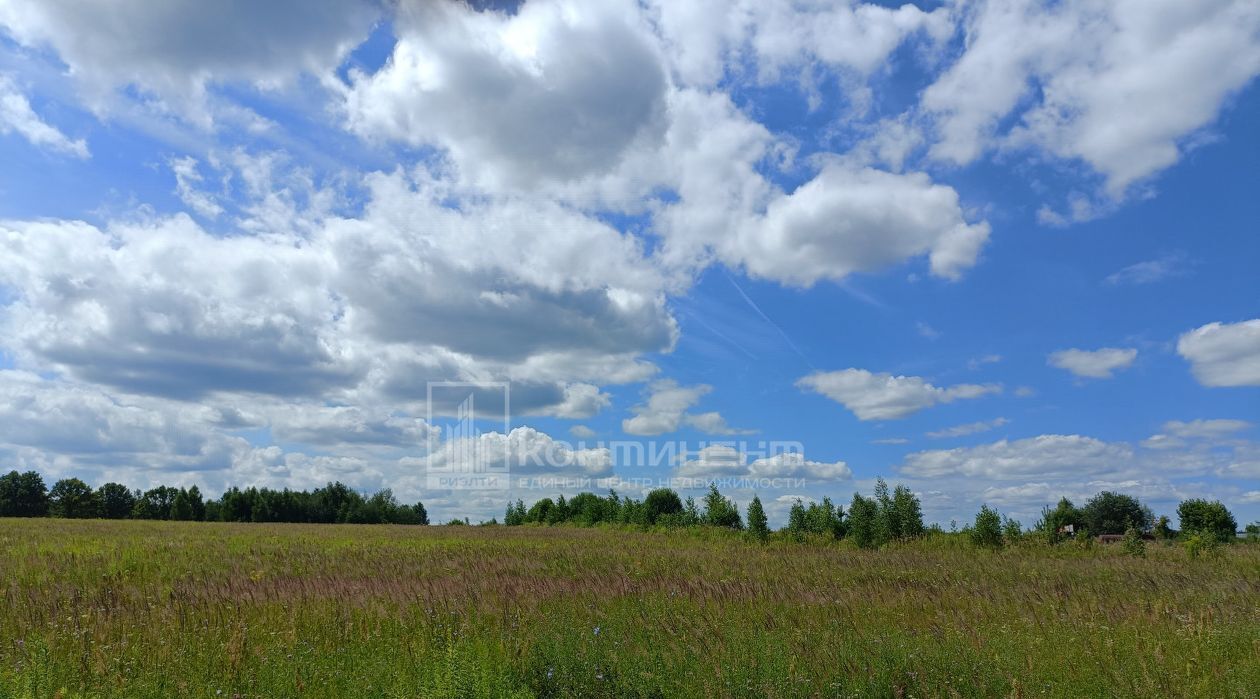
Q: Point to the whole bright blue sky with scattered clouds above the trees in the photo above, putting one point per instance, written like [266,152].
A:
[1000,253]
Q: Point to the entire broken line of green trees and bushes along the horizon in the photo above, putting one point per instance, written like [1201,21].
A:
[888,516]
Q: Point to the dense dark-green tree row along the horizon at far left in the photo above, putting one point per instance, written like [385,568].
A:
[27,496]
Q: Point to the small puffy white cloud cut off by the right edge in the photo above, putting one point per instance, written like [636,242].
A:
[1224,355]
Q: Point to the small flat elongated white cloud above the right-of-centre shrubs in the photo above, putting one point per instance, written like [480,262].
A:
[885,396]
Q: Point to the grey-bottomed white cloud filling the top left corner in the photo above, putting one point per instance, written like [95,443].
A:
[176,51]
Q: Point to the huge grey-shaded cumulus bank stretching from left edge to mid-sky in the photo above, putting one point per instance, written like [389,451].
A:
[342,308]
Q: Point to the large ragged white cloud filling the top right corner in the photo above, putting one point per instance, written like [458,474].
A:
[1091,80]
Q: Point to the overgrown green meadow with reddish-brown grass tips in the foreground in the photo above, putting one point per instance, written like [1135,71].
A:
[161,609]
